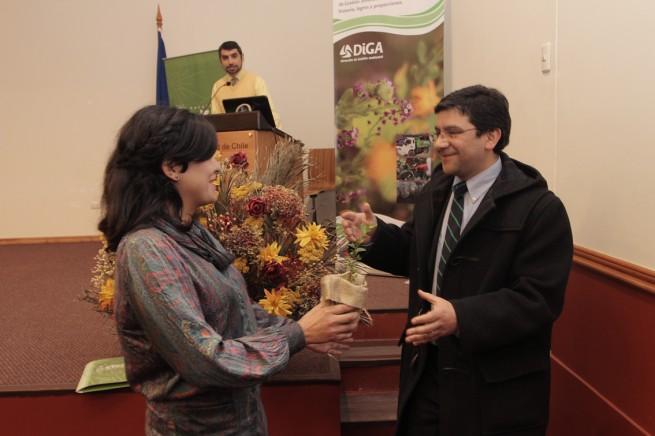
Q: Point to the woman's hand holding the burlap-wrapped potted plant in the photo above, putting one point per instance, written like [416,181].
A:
[329,323]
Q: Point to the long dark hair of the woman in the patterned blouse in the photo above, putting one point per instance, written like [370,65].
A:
[135,190]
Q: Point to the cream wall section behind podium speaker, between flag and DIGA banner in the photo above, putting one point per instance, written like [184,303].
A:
[287,42]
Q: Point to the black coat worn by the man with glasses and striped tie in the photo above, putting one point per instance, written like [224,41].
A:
[506,279]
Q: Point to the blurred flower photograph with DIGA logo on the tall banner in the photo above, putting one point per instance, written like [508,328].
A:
[386,88]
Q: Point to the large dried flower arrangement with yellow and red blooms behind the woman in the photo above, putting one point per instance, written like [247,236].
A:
[261,219]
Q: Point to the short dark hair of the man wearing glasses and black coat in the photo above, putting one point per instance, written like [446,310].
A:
[487,109]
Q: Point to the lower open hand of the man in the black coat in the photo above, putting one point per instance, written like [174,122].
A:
[440,321]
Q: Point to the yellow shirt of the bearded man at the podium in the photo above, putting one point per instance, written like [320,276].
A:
[247,84]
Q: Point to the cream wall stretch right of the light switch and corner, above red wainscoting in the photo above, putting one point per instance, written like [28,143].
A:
[606,127]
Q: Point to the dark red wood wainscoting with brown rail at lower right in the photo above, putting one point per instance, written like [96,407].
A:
[603,350]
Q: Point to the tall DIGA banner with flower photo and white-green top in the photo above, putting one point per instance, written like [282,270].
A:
[388,68]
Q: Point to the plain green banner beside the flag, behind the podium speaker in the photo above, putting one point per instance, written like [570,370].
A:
[190,79]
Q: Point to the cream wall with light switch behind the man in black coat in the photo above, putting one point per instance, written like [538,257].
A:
[587,125]
